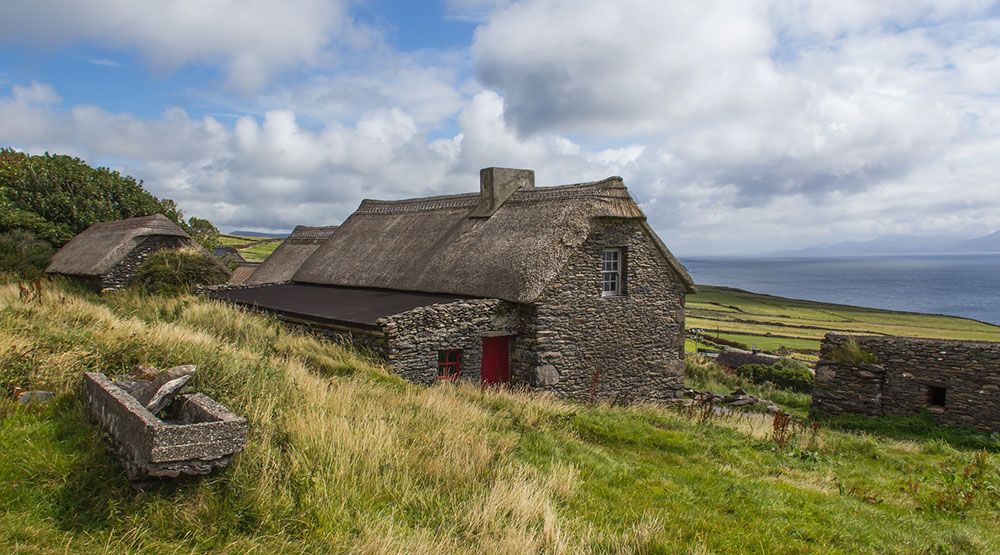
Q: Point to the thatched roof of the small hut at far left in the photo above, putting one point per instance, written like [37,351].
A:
[99,247]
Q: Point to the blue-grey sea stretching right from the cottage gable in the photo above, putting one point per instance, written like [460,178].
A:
[966,285]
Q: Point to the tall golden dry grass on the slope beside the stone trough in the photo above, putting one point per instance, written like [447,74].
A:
[340,454]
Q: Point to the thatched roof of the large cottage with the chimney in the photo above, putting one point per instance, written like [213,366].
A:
[432,245]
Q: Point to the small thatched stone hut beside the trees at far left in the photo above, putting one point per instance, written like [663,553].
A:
[107,254]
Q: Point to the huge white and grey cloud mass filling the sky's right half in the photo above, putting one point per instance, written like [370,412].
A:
[765,117]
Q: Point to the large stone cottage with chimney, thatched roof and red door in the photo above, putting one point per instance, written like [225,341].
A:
[565,289]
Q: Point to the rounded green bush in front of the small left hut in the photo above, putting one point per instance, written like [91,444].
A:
[178,270]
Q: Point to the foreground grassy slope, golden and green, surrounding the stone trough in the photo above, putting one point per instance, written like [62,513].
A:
[344,457]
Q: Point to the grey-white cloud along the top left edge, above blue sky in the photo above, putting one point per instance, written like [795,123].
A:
[251,39]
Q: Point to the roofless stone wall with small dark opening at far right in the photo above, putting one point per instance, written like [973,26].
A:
[905,370]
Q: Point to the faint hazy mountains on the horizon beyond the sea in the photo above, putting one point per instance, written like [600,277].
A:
[902,244]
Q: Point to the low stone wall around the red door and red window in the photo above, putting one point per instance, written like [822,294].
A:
[414,337]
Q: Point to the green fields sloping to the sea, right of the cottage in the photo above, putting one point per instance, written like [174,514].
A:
[773,323]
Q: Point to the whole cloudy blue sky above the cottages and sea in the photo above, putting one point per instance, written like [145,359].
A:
[741,126]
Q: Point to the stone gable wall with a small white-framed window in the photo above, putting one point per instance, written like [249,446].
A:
[580,345]
